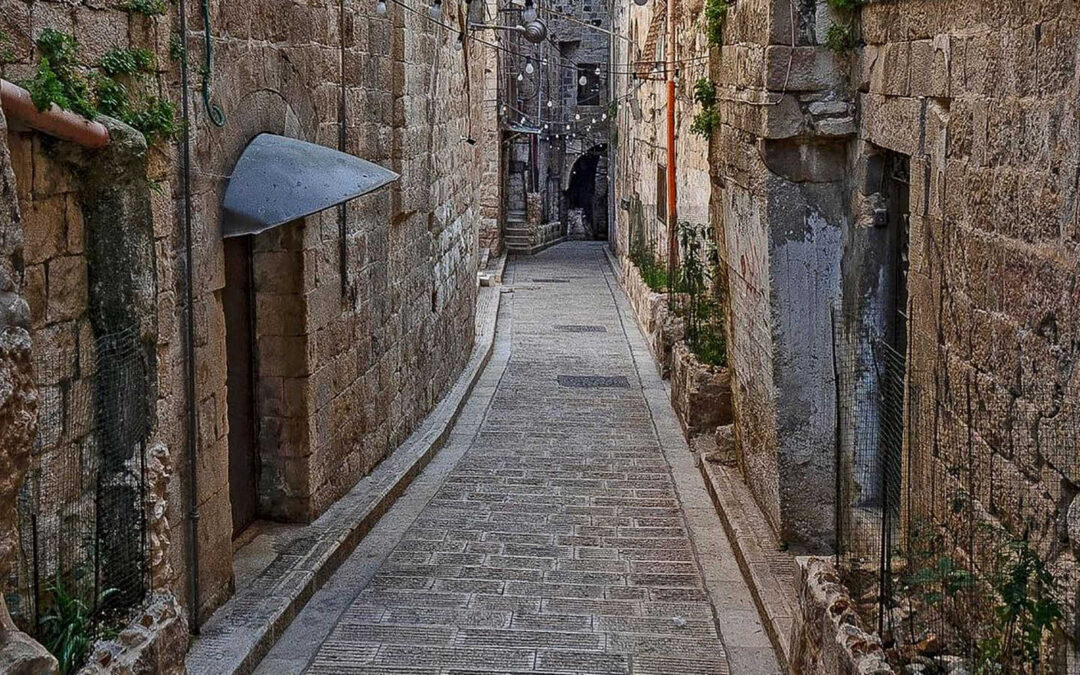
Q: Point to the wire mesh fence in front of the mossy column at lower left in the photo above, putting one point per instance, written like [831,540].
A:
[83,509]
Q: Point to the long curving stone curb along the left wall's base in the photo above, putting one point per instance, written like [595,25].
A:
[242,632]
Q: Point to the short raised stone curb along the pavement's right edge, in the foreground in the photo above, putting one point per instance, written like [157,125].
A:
[739,514]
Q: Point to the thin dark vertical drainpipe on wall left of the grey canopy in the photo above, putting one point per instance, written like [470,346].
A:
[190,342]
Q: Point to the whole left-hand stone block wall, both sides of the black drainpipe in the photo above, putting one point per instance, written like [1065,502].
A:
[353,364]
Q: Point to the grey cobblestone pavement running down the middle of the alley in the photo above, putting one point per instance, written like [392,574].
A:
[549,536]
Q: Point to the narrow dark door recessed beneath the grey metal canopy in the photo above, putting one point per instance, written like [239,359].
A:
[240,382]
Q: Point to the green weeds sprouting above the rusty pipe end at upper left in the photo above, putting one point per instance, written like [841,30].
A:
[120,88]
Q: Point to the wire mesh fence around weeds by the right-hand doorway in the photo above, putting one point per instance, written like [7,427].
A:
[953,493]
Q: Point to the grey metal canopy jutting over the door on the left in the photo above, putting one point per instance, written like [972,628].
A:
[280,180]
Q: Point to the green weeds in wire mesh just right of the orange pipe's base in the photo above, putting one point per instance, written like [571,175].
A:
[701,309]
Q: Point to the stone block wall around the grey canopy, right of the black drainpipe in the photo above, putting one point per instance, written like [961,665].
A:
[380,357]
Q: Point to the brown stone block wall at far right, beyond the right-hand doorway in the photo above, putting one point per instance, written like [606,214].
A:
[982,100]
